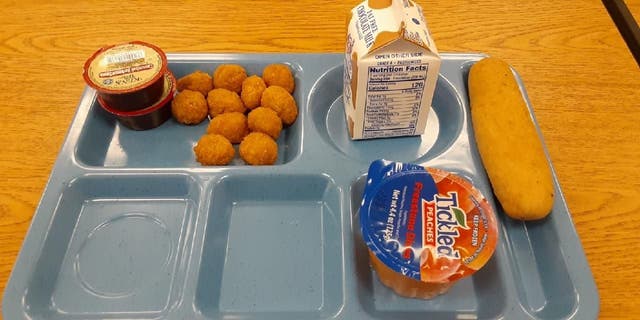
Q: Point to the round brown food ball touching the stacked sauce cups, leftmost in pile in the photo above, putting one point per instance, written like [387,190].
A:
[189,107]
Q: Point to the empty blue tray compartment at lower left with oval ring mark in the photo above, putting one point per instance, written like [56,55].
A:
[114,247]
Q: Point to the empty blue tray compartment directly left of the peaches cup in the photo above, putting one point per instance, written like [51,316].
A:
[273,248]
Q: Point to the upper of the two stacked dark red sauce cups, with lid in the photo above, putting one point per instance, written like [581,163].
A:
[127,76]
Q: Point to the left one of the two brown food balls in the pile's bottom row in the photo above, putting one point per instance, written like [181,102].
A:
[214,150]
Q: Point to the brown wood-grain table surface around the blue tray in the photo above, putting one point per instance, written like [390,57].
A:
[581,79]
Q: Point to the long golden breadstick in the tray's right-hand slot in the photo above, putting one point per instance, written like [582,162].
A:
[508,142]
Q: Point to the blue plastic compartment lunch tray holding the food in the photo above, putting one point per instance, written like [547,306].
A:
[130,226]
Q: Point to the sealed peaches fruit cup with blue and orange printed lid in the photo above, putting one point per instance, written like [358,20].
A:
[425,228]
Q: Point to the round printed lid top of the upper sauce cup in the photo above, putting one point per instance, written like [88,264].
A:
[125,67]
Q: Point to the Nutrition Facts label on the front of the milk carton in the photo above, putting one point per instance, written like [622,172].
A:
[394,95]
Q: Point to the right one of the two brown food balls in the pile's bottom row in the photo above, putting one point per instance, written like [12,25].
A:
[258,148]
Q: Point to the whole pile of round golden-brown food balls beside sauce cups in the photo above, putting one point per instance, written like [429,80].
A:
[246,110]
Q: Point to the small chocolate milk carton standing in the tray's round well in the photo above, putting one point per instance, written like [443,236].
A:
[390,70]
